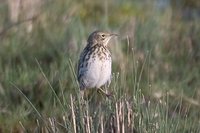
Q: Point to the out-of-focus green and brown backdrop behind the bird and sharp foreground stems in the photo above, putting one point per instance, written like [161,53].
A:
[160,38]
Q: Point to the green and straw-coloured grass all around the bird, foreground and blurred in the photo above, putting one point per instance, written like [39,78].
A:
[155,70]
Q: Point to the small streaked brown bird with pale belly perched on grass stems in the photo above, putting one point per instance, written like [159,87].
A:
[94,67]
